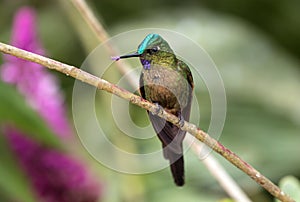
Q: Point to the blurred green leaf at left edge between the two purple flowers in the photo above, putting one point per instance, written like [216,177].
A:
[14,110]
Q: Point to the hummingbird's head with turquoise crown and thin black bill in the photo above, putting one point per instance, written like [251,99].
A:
[153,49]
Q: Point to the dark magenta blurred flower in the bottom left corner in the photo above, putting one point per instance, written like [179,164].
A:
[55,176]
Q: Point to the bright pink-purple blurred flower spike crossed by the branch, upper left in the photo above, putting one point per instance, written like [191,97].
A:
[32,80]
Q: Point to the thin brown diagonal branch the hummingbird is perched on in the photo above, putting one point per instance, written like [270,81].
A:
[137,100]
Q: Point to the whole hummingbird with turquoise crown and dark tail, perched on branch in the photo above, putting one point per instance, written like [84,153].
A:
[167,82]
